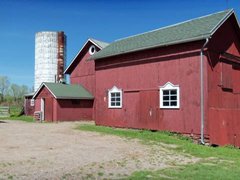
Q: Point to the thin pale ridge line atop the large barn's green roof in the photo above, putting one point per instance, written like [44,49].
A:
[172,25]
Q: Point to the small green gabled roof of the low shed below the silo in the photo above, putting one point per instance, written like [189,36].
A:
[65,91]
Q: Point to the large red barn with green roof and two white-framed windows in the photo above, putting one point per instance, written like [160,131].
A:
[182,78]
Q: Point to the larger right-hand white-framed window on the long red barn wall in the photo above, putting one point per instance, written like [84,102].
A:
[169,96]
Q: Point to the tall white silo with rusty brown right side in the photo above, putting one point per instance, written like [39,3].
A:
[50,48]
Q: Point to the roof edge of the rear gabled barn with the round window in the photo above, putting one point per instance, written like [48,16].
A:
[99,44]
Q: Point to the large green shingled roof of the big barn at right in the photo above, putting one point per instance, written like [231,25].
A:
[191,30]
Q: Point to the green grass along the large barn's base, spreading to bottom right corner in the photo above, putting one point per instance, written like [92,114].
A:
[215,163]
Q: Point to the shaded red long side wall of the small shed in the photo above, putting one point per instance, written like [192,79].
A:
[73,110]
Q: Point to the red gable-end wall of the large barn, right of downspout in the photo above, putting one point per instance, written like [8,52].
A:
[224,87]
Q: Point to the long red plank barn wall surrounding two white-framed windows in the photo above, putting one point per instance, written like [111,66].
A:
[140,75]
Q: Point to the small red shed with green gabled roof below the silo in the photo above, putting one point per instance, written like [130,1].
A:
[63,102]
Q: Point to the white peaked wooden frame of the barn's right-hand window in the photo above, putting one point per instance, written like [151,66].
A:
[169,86]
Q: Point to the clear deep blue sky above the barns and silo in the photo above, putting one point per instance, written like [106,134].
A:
[107,21]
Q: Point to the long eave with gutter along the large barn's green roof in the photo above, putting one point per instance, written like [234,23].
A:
[157,46]
